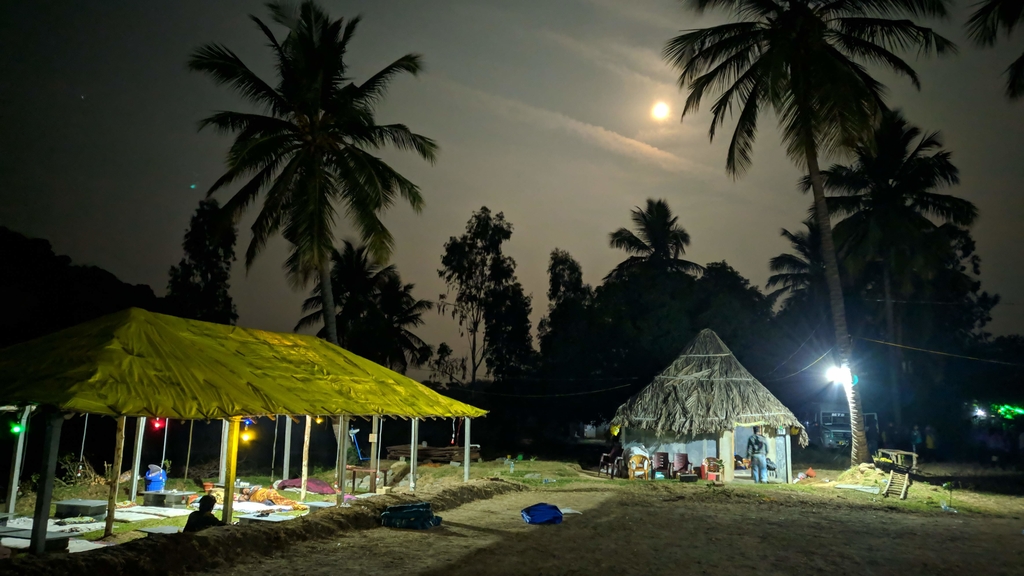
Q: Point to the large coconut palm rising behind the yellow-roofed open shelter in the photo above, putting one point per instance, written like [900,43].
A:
[311,149]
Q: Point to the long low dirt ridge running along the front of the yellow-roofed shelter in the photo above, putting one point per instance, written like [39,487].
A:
[186,553]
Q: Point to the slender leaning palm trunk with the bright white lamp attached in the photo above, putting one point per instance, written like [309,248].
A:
[859,452]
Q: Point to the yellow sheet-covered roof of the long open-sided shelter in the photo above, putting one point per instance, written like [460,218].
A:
[138,363]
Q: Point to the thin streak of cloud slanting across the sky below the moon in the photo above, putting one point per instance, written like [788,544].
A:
[598,136]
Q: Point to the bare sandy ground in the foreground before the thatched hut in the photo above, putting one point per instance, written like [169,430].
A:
[667,530]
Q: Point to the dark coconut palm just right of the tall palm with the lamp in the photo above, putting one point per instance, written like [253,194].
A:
[892,214]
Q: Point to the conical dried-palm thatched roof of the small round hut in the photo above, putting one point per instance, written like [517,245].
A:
[705,391]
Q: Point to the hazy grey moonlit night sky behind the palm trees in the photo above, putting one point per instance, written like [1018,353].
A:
[542,110]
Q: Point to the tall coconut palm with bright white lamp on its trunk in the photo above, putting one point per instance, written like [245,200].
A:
[805,61]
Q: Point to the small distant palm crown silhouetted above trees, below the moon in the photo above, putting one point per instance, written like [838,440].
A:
[658,243]
